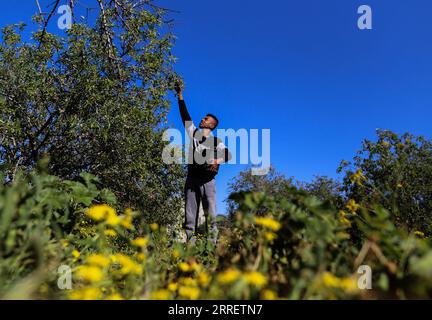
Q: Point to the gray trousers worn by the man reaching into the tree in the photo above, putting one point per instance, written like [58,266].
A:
[198,191]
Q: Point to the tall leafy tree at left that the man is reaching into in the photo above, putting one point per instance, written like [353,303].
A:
[94,101]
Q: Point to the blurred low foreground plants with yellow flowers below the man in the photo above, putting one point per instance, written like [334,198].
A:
[301,248]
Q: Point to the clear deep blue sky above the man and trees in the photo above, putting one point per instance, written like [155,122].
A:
[302,69]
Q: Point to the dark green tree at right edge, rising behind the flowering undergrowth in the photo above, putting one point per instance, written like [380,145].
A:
[396,172]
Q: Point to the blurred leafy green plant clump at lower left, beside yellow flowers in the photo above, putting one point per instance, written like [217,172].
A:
[37,213]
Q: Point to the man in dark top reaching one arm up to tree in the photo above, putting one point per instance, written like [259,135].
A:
[206,153]
